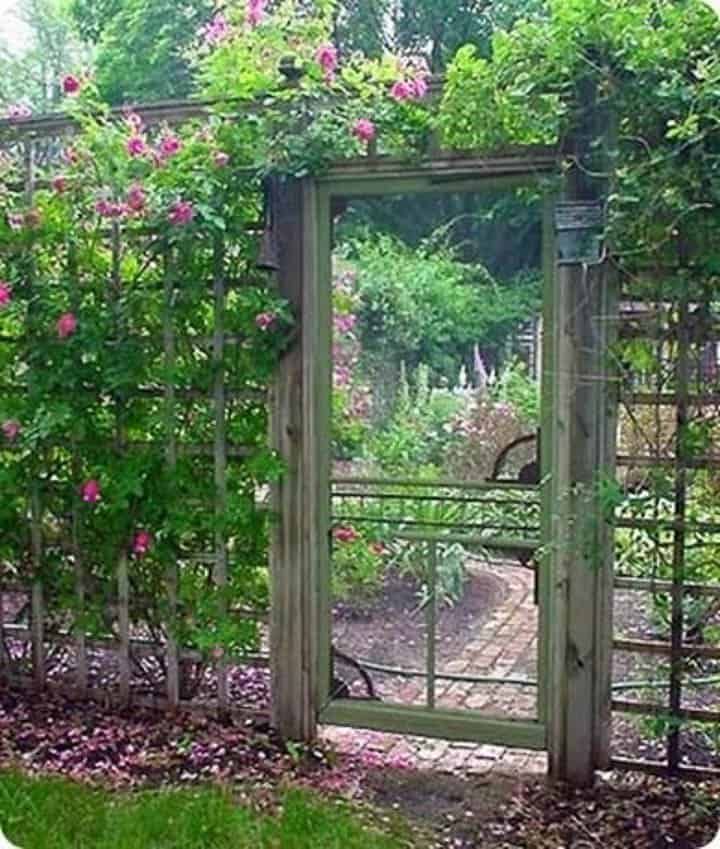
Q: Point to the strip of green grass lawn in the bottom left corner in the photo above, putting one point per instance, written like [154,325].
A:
[57,814]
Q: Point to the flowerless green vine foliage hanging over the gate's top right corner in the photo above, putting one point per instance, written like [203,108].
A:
[656,70]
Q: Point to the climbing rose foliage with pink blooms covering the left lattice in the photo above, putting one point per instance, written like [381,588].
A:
[117,252]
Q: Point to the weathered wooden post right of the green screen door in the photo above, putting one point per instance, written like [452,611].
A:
[583,453]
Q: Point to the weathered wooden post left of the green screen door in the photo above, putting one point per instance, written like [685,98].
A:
[296,549]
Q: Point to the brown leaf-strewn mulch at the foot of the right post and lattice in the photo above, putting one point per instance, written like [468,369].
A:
[508,812]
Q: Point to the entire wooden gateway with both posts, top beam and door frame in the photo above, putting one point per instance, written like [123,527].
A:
[573,554]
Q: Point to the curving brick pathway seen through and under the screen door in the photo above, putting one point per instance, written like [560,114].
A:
[505,645]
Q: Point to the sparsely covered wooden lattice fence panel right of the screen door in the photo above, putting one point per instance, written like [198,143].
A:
[667,602]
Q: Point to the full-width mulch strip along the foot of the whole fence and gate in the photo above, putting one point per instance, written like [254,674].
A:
[81,741]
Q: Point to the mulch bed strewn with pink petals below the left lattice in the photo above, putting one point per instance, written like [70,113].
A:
[138,748]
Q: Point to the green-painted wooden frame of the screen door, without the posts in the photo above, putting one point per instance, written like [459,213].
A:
[469,176]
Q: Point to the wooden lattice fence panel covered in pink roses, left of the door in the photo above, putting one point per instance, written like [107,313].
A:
[136,484]
